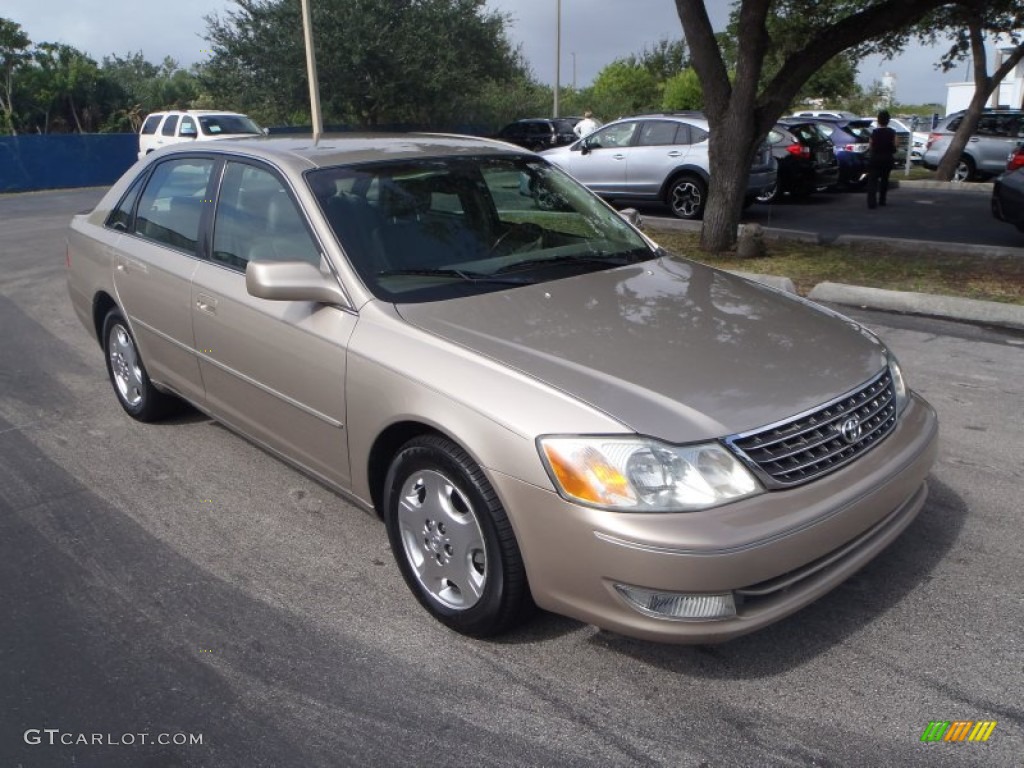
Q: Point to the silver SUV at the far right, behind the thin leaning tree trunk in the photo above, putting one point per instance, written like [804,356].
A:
[998,135]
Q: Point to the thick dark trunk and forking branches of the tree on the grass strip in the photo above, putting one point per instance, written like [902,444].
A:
[742,110]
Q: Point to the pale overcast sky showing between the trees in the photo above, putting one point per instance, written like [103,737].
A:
[596,31]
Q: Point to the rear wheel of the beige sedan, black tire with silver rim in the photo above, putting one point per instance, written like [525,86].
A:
[129,377]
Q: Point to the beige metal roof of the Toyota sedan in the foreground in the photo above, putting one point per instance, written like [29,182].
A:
[305,153]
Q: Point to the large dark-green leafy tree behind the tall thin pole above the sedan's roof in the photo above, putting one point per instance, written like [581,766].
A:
[380,62]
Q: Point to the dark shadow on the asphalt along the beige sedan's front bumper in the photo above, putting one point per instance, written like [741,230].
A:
[833,620]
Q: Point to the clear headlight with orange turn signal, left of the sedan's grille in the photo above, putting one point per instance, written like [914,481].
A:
[645,476]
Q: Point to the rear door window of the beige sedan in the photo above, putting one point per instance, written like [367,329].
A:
[173,204]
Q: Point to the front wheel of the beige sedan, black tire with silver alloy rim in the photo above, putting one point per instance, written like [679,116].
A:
[453,541]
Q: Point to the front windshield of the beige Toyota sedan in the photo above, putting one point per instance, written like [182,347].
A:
[445,228]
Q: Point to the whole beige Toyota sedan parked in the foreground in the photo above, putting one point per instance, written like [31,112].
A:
[545,408]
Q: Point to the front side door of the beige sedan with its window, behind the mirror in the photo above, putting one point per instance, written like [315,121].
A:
[274,370]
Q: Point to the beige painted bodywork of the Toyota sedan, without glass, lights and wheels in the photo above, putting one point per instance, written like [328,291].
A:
[670,350]
